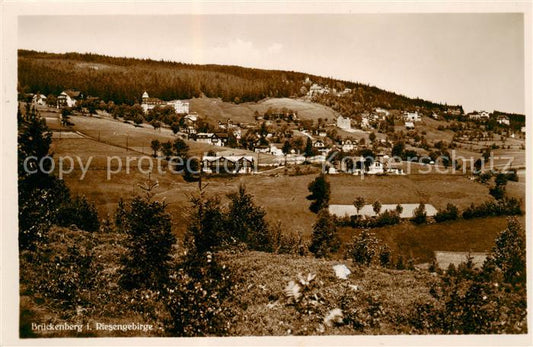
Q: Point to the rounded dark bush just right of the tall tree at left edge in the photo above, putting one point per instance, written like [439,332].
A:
[78,212]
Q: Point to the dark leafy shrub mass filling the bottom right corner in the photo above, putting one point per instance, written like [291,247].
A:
[486,301]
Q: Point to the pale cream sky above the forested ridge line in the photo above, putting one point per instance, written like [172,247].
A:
[476,60]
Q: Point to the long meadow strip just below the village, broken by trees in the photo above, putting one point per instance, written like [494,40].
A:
[283,197]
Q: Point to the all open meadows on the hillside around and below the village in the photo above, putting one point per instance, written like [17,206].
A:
[282,196]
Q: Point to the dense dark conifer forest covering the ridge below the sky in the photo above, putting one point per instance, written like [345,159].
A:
[123,80]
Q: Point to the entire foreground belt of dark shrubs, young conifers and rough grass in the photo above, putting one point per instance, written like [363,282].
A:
[233,272]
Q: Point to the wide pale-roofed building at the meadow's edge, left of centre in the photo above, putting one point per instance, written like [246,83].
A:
[229,164]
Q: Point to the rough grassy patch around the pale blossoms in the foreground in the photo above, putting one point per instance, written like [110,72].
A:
[263,305]
